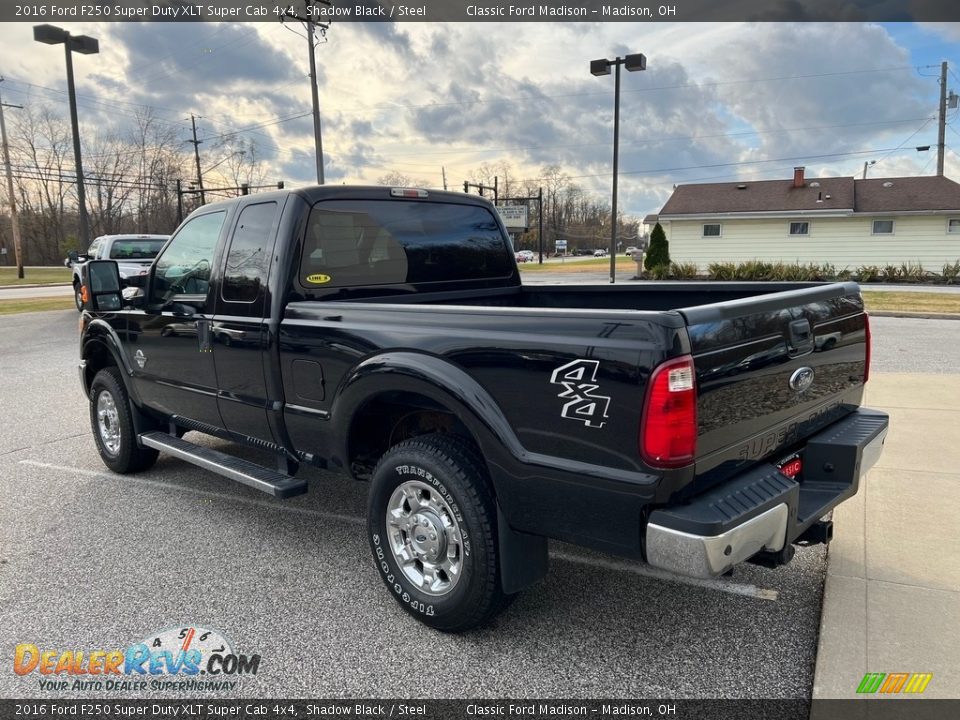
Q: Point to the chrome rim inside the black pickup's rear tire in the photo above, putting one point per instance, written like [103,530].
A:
[425,538]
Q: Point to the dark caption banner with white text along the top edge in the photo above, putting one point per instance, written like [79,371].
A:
[323,11]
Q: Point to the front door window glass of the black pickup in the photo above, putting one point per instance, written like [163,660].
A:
[184,266]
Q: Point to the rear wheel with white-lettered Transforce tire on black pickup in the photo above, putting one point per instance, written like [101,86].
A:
[437,485]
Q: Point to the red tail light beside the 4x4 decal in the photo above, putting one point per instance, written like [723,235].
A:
[668,428]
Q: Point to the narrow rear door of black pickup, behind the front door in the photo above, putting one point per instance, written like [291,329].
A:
[240,333]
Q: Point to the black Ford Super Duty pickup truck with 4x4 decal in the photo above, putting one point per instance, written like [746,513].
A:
[385,333]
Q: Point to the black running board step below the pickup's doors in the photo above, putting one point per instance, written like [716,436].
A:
[243,471]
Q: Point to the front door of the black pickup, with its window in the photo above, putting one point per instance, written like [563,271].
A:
[171,357]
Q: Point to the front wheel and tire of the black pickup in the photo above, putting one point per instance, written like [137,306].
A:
[112,425]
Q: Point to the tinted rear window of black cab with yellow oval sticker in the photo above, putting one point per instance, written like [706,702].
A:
[381,242]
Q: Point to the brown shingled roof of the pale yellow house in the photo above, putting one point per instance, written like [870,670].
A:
[905,194]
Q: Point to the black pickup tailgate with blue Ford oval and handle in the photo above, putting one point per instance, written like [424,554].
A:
[772,370]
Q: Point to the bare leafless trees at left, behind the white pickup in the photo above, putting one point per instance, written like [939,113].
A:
[130,178]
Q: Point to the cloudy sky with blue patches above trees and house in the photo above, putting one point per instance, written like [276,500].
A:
[717,102]
